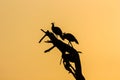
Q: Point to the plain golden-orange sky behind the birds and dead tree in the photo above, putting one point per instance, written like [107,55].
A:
[95,23]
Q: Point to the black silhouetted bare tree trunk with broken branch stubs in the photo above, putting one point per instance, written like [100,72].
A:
[69,55]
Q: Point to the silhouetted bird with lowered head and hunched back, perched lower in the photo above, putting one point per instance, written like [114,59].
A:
[70,38]
